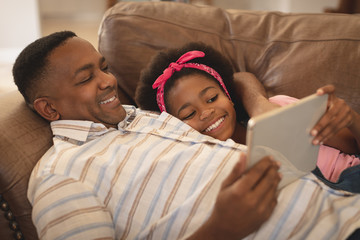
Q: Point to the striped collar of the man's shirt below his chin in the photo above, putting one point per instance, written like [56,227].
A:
[80,130]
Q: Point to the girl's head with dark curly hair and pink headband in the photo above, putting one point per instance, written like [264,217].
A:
[203,86]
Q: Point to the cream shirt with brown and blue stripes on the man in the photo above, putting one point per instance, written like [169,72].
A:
[157,178]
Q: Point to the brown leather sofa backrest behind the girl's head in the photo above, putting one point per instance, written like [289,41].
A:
[291,54]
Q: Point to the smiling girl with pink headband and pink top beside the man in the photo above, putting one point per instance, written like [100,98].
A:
[195,83]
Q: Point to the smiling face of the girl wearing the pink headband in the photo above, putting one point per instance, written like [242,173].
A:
[201,103]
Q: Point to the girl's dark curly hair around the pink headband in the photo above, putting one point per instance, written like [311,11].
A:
[145,95]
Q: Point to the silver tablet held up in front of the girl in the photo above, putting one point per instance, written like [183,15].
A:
[284,133]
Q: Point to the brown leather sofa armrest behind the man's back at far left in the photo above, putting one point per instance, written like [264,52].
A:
[24,138]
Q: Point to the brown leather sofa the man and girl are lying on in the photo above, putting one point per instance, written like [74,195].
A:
[291,54]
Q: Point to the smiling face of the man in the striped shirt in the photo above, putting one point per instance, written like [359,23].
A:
[80,86]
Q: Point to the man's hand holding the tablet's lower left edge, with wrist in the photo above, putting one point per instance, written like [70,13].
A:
[244,203]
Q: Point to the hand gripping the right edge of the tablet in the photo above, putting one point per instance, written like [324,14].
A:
[339,124]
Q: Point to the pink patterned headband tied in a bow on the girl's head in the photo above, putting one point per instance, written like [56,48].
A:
[177,66]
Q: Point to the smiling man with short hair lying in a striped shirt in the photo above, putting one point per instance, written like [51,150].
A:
[116,173]
